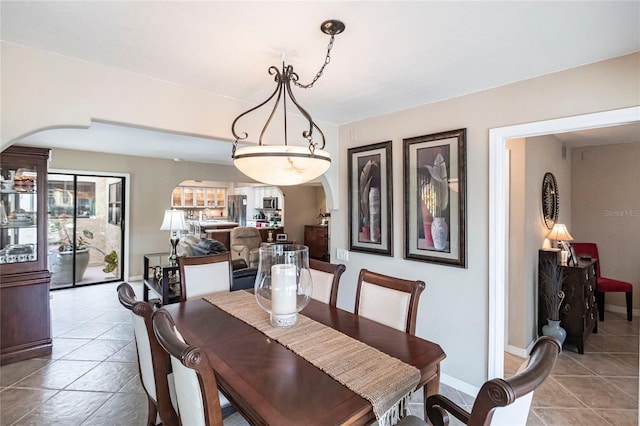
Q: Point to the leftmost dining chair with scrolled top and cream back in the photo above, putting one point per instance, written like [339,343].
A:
[153,361]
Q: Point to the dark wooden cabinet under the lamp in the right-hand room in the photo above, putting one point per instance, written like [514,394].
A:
[578,313]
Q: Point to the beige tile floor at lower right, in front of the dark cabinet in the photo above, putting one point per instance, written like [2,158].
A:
[597,388]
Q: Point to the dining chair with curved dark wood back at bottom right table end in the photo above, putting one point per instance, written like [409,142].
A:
[495,394]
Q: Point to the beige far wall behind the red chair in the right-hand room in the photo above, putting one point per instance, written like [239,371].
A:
[606,198]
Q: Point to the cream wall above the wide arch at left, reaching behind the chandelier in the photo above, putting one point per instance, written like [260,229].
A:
[41,90]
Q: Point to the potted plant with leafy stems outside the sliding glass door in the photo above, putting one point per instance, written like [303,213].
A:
[63,267]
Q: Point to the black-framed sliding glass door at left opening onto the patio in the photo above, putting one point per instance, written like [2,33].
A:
[85,229]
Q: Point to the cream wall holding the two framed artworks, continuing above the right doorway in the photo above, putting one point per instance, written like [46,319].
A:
[454,307]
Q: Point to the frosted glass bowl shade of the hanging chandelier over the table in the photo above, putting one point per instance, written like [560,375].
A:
[281,165]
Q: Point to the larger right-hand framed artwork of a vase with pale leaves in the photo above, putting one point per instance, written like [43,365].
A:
[435,198]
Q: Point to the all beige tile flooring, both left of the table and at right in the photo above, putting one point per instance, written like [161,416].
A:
[91,378]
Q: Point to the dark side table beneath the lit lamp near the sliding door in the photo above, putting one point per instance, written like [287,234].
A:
[158,276]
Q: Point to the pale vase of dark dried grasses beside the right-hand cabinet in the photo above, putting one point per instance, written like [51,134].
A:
[552,279]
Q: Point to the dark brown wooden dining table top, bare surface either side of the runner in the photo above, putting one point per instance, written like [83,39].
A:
[271,385]
